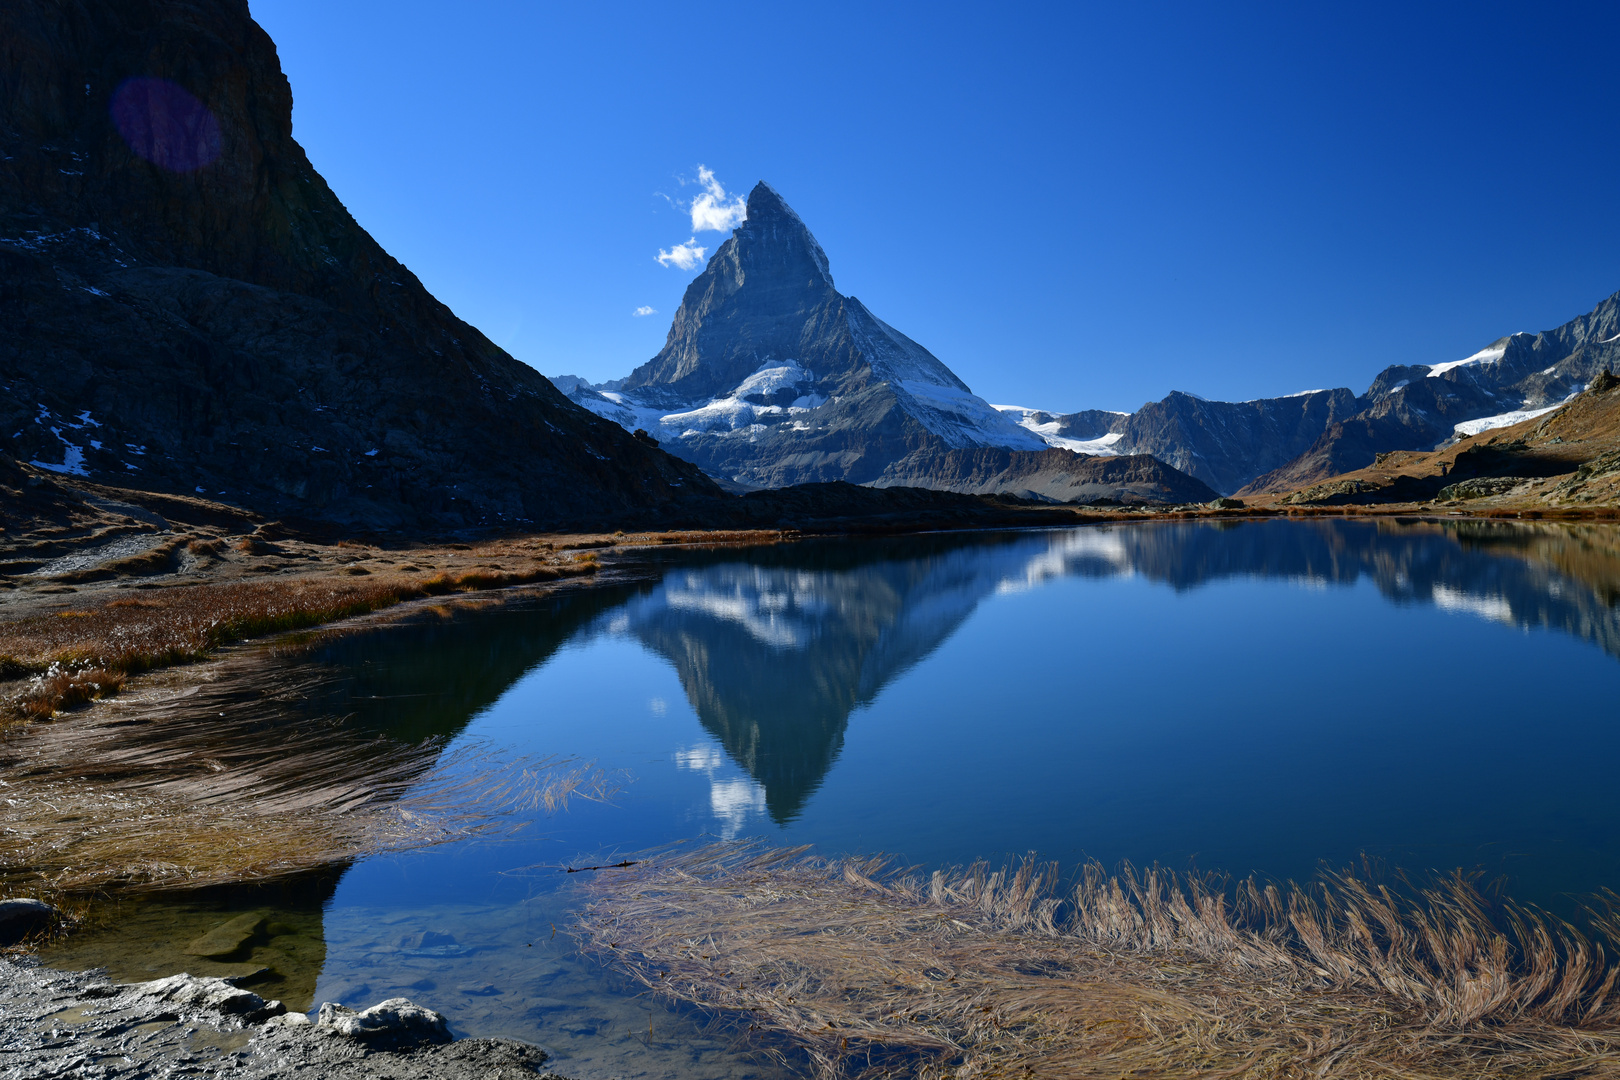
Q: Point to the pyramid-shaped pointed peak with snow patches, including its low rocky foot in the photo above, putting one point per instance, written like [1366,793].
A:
[770,376]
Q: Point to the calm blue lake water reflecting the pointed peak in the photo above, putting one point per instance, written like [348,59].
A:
[1266,699]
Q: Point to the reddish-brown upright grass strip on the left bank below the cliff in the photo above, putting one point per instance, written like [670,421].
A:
[95,647]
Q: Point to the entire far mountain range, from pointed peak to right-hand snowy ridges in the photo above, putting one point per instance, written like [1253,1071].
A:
[774,378]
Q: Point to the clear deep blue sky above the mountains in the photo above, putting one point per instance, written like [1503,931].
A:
[1073,206]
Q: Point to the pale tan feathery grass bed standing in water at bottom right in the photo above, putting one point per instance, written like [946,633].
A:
[983,974]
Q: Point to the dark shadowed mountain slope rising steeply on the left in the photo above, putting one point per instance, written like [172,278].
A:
[187,307]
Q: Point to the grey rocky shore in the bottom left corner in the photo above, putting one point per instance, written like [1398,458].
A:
[83,1026]
